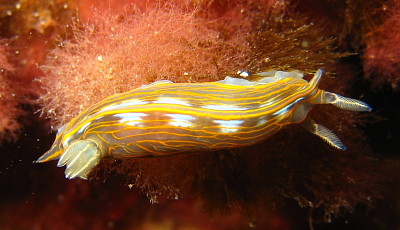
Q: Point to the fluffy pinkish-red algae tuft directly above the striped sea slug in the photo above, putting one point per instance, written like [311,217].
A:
[112,54]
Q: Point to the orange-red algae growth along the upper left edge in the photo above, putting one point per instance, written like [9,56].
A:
[28,27]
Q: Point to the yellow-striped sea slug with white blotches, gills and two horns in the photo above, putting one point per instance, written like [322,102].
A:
[166,118]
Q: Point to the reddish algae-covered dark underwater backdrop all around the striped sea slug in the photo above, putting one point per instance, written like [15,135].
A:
[59,57]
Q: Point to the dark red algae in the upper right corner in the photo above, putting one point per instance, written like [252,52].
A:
[370,29]
